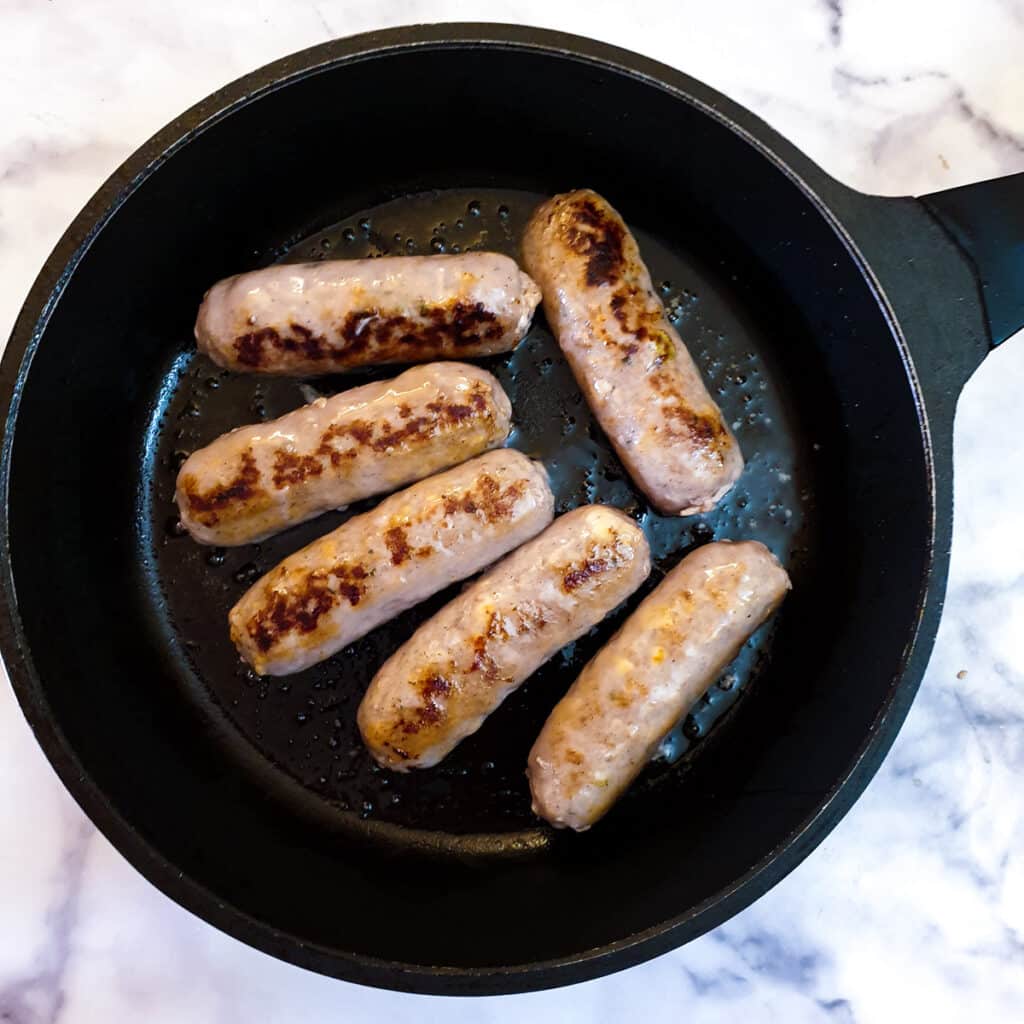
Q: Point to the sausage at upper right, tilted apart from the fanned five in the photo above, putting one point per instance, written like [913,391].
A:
[628,359]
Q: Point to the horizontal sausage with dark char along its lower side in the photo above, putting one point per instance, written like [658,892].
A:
[308,319]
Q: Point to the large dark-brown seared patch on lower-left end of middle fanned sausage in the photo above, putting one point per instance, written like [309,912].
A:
[301,609]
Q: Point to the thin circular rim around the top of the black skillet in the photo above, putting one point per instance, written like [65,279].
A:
[30,692]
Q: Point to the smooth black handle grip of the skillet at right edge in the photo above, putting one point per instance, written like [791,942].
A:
[987,223]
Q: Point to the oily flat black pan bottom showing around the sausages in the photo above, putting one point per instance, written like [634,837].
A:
[305,724]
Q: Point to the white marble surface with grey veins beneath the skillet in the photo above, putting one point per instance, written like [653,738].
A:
[914,909]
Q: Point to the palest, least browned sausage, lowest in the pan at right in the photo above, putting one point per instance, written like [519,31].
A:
[645,680]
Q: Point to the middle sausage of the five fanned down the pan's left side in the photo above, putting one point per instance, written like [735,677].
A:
[377,565]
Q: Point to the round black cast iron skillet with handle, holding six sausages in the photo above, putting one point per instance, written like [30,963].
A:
[837,330]
